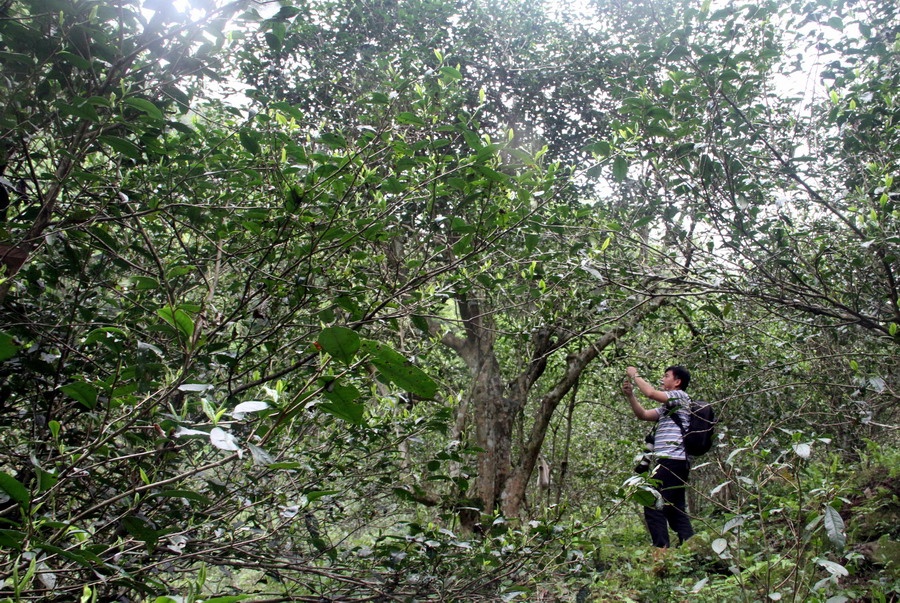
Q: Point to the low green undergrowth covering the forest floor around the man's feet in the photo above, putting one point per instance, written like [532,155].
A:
[824,532]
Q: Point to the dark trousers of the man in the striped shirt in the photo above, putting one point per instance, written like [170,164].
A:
[673,476]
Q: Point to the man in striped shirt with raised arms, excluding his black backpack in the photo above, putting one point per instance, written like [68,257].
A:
[672,464]
